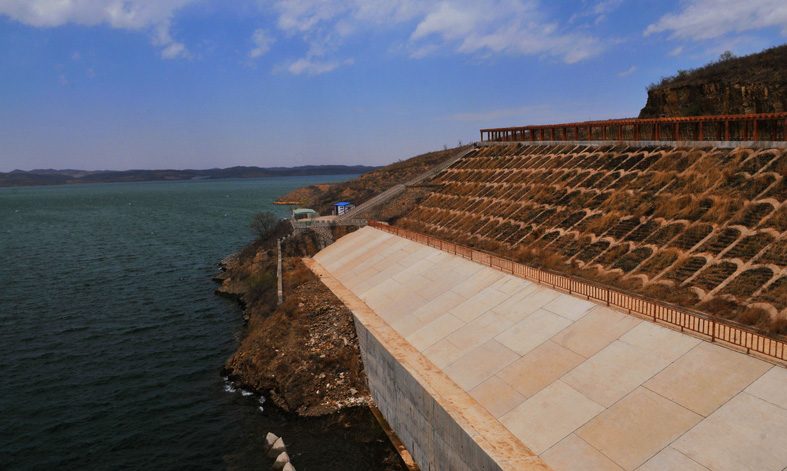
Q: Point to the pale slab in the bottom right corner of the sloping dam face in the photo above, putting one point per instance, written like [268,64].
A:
[746,434]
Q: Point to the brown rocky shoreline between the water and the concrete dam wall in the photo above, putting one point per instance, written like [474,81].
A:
[302,355]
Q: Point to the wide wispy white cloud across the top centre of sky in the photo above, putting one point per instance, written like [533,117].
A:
[480,27]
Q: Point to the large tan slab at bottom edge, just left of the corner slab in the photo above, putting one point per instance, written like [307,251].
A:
[636,428]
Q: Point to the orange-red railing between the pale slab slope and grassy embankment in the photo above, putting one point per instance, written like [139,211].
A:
[715,328]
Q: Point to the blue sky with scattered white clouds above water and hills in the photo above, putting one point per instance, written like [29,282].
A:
[120,84]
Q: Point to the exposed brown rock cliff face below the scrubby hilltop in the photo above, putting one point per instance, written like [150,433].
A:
[715,98]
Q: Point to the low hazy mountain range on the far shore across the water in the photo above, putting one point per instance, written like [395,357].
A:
[70,177]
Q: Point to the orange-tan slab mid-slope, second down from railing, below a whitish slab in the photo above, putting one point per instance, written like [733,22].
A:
[539,368]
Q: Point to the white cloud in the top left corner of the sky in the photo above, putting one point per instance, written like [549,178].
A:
[137,15]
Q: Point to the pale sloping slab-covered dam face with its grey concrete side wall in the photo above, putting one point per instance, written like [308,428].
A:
[482,370]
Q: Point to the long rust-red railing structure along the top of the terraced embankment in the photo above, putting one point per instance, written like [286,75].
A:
[749,127]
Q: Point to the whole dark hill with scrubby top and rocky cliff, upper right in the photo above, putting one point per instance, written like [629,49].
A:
[756,83]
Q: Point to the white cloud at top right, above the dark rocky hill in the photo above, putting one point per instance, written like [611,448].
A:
[708,19]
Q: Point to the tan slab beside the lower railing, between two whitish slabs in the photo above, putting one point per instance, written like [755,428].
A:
[597,329]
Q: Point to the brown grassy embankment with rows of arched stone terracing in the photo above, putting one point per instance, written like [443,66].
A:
[702,227]
